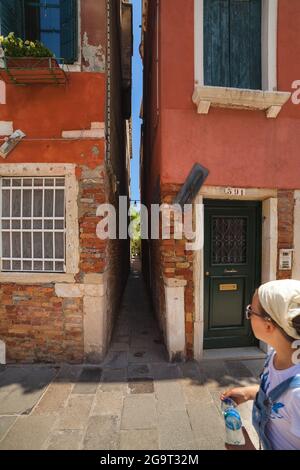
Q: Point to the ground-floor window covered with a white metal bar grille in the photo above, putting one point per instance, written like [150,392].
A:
[32,224]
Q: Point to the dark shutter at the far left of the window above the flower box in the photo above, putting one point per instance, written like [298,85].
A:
[11,17]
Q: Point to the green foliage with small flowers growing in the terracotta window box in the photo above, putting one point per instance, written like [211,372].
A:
[17,47]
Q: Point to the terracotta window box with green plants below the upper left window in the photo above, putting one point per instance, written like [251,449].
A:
[29,62]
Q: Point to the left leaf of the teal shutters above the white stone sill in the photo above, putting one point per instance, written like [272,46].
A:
[216,43]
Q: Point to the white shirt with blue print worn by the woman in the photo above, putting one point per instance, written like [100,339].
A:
[283,429]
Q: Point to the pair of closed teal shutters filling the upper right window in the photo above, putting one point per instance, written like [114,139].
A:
[232,43]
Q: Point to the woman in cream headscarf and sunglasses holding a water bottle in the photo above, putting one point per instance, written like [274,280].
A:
[275,319]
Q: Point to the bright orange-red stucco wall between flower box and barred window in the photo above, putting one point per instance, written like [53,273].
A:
[43,112]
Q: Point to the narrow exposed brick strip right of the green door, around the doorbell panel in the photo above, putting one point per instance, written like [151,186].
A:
[286,205]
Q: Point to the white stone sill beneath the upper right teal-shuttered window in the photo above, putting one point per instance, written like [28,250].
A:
[235,98]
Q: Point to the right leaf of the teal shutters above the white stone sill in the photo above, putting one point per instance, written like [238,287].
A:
[245,44]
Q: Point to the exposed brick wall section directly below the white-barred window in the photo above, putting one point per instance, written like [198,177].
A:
[38,326]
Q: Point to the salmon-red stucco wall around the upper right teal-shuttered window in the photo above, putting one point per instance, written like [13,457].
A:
[240,148]
